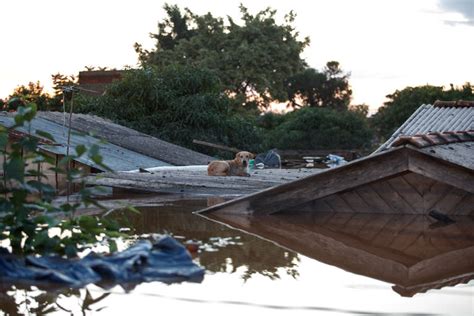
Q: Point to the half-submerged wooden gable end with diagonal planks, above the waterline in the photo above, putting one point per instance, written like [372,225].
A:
[402,180]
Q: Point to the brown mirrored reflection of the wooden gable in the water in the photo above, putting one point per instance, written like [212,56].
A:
[406,250]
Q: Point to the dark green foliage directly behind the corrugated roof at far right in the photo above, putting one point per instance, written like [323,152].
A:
[404,102]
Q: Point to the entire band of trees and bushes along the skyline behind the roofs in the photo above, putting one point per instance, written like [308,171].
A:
[213,78]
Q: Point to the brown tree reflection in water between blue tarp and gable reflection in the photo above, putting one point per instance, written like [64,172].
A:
[222,249]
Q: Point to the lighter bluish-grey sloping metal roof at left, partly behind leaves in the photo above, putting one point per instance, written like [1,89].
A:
[115,157]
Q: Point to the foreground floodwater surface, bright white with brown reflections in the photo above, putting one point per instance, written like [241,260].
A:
[329,264]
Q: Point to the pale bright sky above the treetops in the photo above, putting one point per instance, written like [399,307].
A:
[385,45]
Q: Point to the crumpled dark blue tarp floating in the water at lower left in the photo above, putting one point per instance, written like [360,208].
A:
[166,260]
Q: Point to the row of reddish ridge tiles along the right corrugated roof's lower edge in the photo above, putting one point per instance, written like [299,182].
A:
[434,138]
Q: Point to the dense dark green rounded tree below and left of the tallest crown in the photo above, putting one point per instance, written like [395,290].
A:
[177,104]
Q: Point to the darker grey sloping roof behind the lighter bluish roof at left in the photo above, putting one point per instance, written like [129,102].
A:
[132,139]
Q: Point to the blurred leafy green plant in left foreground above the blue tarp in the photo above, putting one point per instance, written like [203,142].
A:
[27,211]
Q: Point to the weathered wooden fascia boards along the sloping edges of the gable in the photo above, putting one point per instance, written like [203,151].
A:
[354,174]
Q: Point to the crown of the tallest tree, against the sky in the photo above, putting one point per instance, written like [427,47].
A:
[252,59]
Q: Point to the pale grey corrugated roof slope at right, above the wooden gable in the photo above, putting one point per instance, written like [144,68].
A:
[428,118]
